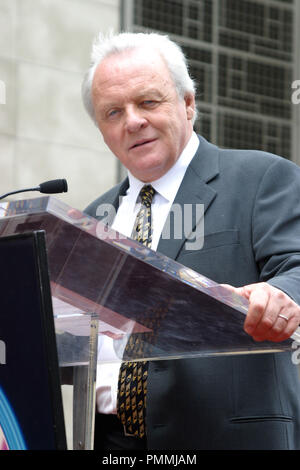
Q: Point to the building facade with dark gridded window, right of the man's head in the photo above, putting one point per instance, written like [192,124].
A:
[243,55]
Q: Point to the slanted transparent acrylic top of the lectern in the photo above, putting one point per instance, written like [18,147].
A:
[167,310]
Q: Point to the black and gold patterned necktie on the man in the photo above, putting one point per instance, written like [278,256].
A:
[132,387]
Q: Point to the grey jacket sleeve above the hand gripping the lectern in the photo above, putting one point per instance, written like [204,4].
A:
[276,227]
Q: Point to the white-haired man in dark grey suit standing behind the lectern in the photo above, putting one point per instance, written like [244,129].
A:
[139,93]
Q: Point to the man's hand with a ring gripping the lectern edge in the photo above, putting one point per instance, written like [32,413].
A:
[272,315]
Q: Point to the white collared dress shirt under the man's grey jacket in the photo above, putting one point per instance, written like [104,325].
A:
[166,189]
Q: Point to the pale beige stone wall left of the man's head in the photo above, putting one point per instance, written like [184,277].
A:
[45,132]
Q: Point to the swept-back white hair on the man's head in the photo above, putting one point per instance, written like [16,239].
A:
[171,53]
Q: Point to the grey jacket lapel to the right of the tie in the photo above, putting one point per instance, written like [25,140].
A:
[194,190]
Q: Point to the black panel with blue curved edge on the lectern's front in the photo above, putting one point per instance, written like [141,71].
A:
[31,413]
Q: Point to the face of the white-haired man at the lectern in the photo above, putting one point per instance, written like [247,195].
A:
[139,113]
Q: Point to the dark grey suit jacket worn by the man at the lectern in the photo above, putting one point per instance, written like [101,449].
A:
[252,234]
